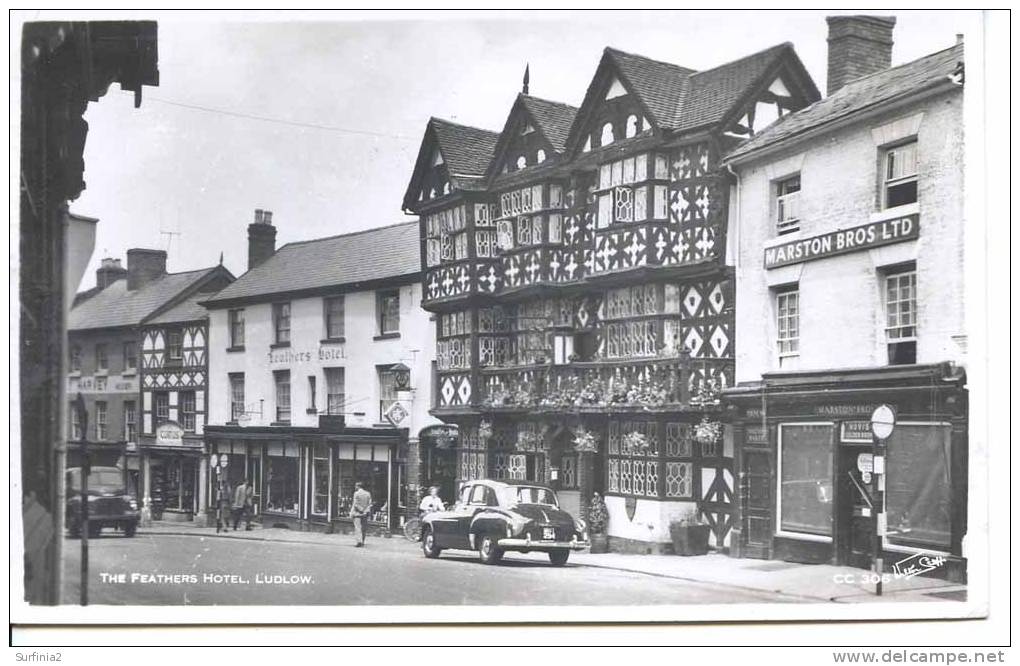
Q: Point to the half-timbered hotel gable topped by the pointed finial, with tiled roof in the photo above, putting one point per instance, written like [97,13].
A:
[535,134]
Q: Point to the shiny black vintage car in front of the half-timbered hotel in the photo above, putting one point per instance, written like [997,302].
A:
[493,518]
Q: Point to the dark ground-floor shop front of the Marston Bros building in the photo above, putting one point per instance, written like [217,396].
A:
[804,451]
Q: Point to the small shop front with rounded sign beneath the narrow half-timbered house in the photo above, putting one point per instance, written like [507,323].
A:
[171,474]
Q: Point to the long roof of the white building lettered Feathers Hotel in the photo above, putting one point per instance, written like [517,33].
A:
[374,254]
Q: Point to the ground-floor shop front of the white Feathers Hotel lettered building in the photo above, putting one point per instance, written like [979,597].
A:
[303,478]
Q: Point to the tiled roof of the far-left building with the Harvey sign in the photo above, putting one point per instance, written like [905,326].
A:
[116,306]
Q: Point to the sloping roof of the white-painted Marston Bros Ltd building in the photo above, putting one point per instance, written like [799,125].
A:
[859,95]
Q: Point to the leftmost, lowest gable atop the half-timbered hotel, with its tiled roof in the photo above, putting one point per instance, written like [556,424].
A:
[452,158]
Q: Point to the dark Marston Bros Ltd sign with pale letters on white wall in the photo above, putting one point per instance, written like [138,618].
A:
[848,240]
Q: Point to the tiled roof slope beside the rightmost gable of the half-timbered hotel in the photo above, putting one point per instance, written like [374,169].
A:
[713,93]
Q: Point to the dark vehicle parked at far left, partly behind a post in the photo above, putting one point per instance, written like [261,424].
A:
[110,503]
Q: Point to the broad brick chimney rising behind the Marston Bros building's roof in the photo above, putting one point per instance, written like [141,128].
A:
[858,46]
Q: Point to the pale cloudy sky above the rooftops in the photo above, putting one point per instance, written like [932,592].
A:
[341,103]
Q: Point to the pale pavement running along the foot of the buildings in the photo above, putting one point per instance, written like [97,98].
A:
[788,581]
